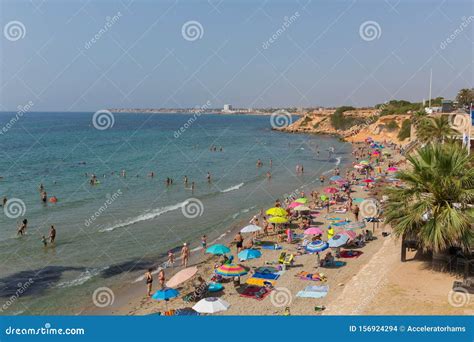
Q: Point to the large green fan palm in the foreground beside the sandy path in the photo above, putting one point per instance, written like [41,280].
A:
[435,207]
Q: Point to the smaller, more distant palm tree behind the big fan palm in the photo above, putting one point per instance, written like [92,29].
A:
[435,129]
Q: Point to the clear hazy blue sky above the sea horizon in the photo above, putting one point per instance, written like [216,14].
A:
[89,55]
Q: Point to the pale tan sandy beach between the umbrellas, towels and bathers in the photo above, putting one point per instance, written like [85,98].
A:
[369,284]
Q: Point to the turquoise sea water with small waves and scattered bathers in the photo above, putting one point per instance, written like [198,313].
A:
[109,233]
